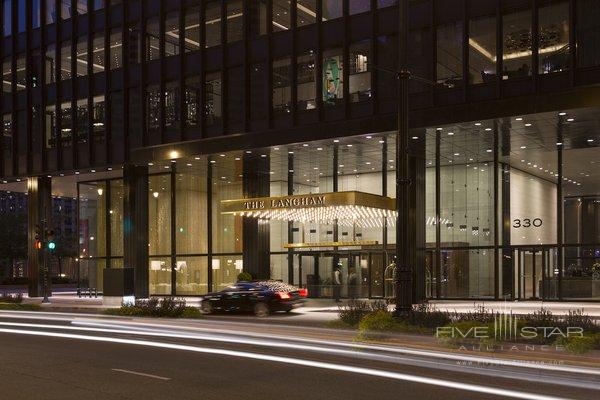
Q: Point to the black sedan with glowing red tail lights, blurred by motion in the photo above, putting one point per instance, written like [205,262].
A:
[261,298]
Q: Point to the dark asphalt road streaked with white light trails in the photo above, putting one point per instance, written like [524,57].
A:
[76,357]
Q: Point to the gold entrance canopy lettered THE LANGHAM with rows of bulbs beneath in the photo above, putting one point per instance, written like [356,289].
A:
[363,209]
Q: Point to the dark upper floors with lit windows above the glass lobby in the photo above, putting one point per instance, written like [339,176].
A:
[86,82]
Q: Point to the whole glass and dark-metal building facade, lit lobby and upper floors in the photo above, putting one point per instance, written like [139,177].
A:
[194,103]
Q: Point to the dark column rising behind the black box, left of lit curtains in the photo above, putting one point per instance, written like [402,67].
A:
[135,226]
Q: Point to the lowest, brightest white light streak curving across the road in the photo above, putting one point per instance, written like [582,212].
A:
[301,362]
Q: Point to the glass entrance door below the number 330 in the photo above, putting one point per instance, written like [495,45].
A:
[535,272]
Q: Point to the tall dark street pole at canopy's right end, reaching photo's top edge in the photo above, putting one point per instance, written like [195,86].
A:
[404,243]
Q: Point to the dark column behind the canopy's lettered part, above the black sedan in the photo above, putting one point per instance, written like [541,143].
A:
[256,231]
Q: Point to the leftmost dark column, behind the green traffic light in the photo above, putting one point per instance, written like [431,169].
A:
[39,210]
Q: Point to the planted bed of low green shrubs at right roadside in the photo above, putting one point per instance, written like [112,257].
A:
[576,333]
